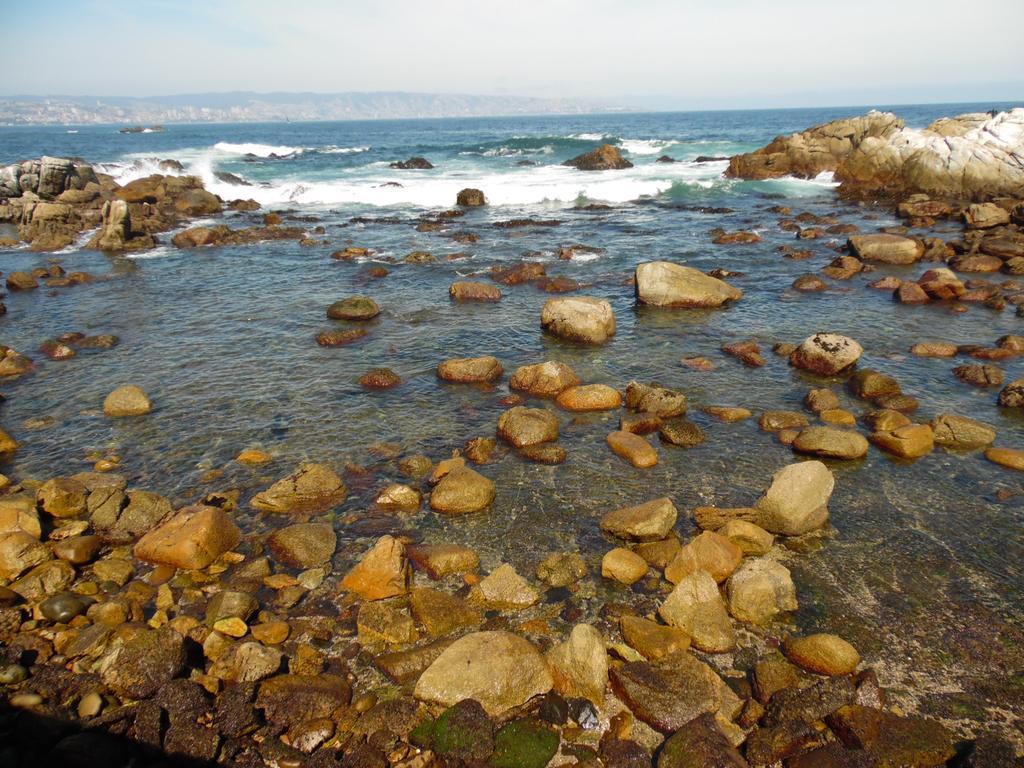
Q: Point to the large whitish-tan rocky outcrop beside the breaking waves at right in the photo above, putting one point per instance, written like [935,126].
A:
[971,157]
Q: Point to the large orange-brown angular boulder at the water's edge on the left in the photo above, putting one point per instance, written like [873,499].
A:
[191,540]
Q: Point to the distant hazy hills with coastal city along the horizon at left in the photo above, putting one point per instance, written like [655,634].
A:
[250,107]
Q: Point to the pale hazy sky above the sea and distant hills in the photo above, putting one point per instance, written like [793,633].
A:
[656,54]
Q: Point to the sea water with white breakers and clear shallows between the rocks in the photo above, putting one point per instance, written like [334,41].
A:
[924,572]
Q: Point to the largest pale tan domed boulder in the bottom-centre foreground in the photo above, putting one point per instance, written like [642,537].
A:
[498,669]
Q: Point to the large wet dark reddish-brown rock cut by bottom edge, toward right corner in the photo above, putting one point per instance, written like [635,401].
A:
[891,740]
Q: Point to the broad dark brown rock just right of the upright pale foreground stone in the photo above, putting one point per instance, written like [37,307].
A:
[670,695]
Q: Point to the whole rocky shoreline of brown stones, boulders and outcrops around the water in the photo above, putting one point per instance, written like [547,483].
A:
[224,631]
